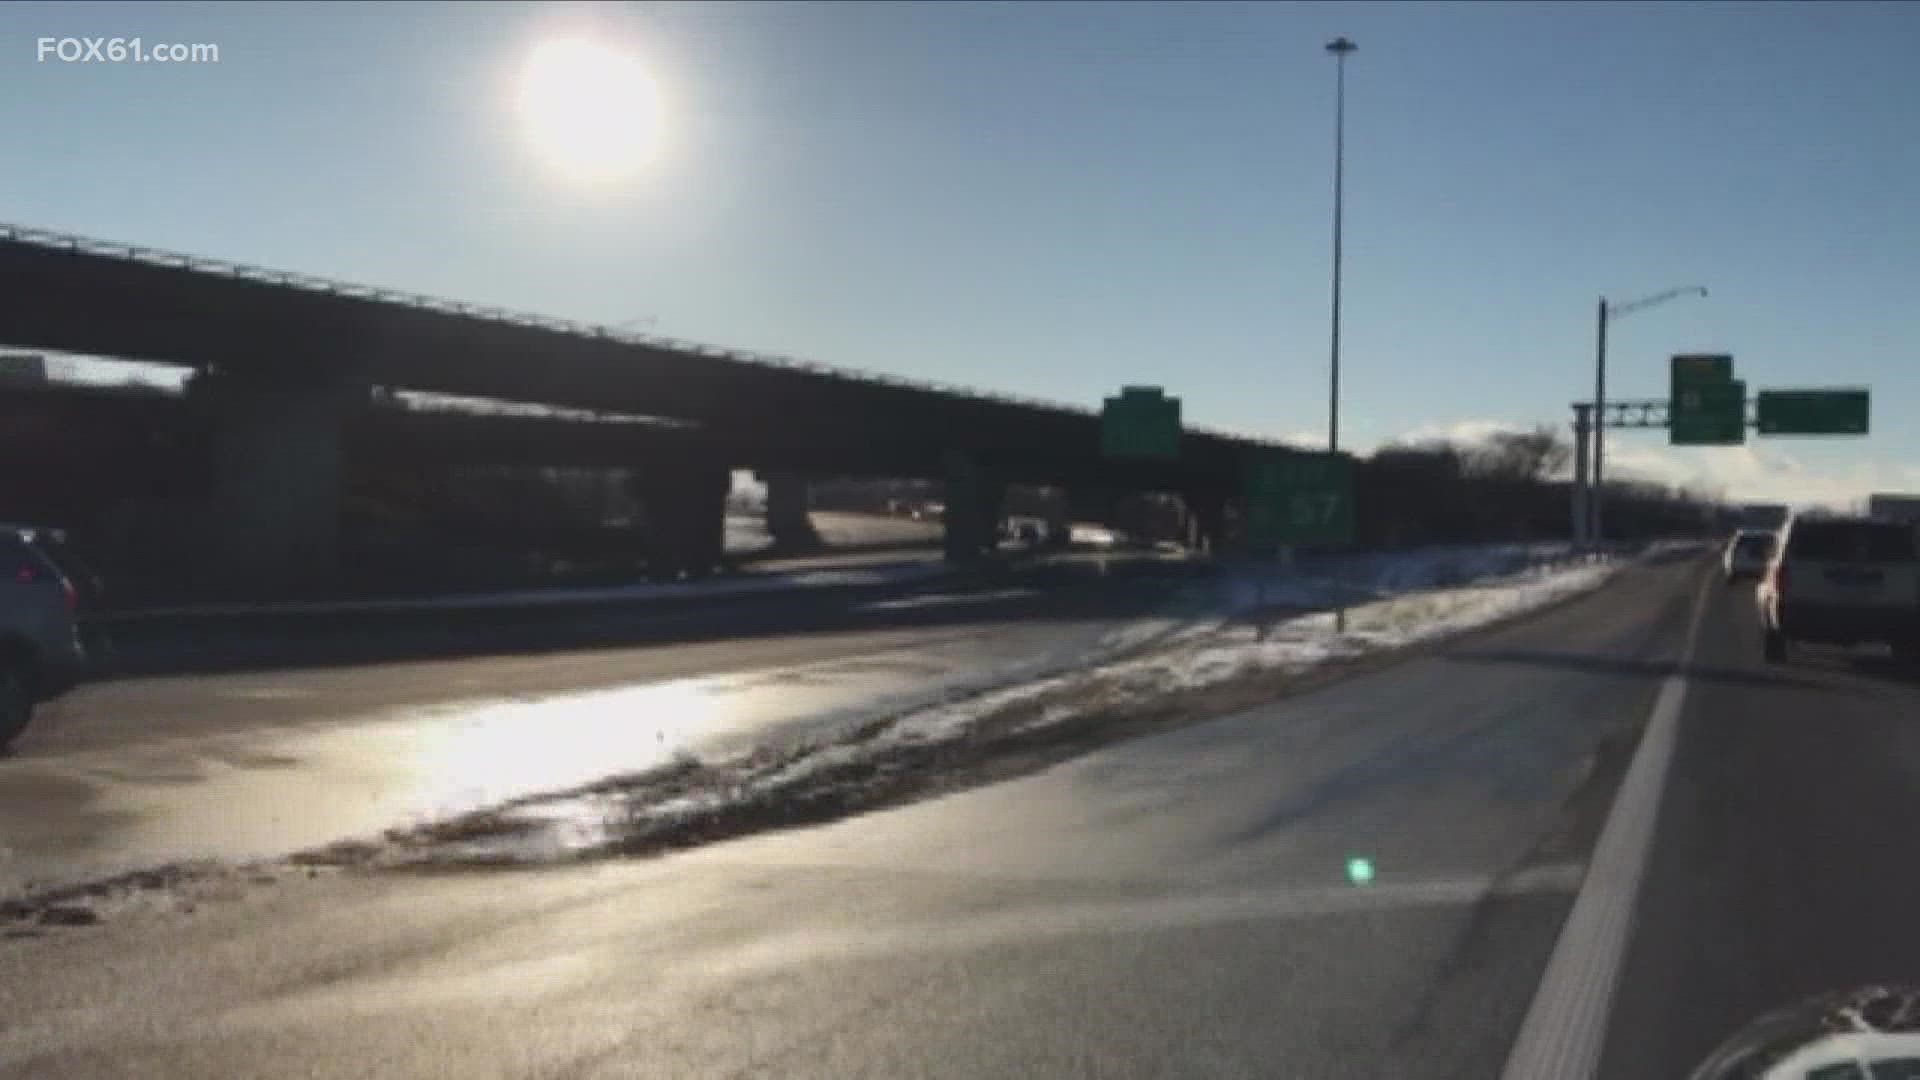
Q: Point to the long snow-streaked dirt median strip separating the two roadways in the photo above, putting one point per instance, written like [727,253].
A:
[1191,664]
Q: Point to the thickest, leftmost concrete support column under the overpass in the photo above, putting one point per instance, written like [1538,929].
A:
[277,472]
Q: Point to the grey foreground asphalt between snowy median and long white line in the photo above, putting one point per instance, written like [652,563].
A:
[1358,881]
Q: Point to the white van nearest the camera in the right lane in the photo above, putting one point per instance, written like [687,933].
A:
[1842,581]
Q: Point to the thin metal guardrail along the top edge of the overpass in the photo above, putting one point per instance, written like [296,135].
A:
[312,283]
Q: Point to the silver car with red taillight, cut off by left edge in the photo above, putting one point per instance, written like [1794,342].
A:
[41,652]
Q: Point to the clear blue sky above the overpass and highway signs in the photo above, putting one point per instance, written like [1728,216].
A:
[1065,199]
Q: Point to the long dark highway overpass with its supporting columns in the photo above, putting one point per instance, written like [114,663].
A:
[287,364]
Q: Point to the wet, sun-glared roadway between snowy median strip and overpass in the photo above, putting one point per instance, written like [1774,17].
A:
[143,772]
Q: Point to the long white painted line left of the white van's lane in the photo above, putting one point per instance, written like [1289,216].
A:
[1566,1027]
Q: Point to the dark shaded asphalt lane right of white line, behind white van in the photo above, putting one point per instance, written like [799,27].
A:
[1783,864]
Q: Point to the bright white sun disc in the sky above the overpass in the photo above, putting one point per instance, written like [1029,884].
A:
[590,110]
